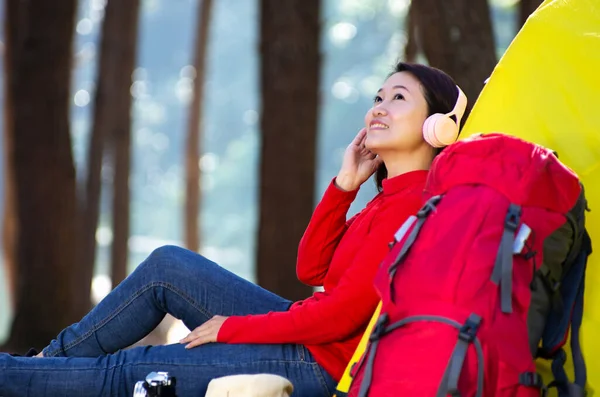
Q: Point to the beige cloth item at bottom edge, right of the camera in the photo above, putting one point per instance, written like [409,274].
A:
[261,385]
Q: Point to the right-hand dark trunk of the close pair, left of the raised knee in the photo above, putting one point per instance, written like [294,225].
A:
[126,12]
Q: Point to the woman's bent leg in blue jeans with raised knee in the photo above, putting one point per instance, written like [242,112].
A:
[171,280]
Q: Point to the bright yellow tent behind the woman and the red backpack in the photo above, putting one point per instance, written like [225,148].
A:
[546,89]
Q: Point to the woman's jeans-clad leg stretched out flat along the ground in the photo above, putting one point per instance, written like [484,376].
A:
[115,375]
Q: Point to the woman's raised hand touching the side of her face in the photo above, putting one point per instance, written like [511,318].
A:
[358,164]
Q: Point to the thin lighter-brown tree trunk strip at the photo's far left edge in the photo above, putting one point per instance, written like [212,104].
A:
[9,220]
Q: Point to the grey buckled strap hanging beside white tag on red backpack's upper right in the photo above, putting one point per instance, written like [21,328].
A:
[502,273]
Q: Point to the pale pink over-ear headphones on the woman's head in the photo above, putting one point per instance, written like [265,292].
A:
[439,129]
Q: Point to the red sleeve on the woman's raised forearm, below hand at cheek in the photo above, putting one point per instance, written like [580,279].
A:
[325,230]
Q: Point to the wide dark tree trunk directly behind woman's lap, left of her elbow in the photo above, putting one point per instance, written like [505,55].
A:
[289,81]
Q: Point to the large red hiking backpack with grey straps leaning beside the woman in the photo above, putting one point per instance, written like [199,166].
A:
[458,287]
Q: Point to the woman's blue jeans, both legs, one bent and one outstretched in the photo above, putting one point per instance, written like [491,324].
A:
[85,359]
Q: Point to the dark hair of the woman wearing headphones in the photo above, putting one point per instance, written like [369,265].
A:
[440,93]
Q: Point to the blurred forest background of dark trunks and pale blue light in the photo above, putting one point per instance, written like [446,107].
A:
[210,124]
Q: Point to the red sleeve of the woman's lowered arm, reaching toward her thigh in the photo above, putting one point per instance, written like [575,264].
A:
[334,316]
